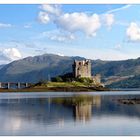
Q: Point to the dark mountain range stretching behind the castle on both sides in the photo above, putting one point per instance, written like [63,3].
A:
[33,69]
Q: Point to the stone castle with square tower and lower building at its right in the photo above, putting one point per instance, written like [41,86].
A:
[83,69]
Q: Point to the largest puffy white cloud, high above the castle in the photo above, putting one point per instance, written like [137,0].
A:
[89,24]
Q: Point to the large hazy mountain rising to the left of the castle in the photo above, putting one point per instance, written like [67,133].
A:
[33,69]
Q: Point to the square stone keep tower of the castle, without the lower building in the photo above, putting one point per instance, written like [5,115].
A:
[82,68]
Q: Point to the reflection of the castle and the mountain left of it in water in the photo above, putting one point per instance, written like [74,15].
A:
[58,108]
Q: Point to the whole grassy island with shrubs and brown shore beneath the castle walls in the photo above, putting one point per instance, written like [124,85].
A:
[82,84]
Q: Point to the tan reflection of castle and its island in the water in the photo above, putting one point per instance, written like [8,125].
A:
[82,105]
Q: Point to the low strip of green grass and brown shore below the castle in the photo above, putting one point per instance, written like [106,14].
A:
[57,86]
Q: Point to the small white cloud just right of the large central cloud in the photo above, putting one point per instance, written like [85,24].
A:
[109,19]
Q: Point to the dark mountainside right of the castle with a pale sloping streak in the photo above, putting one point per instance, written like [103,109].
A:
[120,74]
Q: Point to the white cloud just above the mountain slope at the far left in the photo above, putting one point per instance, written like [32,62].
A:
[12,53]
